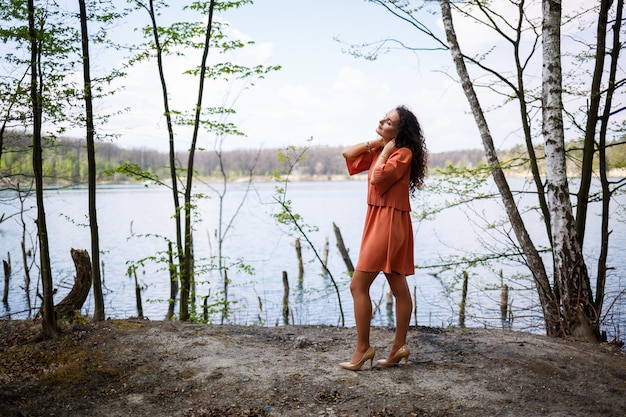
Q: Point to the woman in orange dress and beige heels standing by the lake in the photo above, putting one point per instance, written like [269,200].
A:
[396,161]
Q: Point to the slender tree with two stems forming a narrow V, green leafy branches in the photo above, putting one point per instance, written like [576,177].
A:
[178,37]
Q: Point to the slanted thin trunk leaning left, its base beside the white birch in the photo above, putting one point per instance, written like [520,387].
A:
[533,259]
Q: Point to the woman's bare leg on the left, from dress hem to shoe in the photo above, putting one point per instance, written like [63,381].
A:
[360,289]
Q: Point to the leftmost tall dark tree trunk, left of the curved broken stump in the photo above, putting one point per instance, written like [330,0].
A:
[49,322]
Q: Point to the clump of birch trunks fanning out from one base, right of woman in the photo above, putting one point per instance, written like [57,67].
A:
[567,304]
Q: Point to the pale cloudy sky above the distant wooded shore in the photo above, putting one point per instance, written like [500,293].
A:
[322,95]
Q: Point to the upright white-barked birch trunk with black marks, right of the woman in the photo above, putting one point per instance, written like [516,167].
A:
[571,279]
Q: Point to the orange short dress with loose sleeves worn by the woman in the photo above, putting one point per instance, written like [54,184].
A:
[387,243]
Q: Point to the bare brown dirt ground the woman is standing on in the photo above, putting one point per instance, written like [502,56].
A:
[155,368]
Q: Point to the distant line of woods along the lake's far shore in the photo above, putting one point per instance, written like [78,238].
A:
[65,161]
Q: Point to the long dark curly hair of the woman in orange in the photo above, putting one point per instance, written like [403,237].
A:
[409,135]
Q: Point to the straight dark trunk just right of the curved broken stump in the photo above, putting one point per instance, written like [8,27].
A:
[91,161]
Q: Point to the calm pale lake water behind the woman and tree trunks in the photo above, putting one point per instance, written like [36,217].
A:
[134,222]
